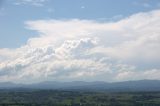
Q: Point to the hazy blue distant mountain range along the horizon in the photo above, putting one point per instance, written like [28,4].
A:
[140,85]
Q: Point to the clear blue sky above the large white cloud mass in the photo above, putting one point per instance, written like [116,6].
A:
[13,15]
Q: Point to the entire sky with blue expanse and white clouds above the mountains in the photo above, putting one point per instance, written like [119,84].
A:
[79,40]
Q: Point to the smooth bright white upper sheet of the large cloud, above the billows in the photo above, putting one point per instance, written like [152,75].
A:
[118,39]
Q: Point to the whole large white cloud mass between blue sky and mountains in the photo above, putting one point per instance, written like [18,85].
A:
[68,50]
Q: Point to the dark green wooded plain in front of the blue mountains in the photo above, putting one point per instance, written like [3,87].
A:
[77,98]
